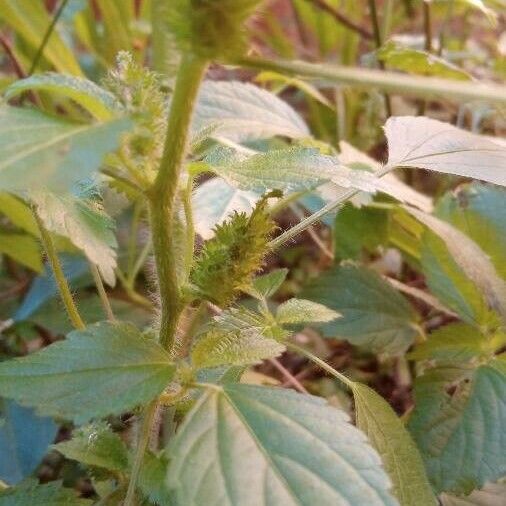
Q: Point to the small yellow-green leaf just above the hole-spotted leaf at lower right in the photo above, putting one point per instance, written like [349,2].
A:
[454,343]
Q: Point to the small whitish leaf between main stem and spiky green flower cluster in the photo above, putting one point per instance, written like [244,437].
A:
[214,201]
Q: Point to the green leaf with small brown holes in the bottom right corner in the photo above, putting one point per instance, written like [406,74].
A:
[458,424]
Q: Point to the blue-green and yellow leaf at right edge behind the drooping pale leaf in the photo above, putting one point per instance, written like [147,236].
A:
[479,211]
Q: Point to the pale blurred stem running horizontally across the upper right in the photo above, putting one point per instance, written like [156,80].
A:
[392,82]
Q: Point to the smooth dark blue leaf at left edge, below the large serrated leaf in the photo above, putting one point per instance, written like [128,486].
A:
[24,440]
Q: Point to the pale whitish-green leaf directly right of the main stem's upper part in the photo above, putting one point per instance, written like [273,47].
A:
[243,112]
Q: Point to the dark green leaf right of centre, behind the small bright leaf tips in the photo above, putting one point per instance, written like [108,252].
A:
[374,315]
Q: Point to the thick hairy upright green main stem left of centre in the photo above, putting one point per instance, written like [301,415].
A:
[162,195]
